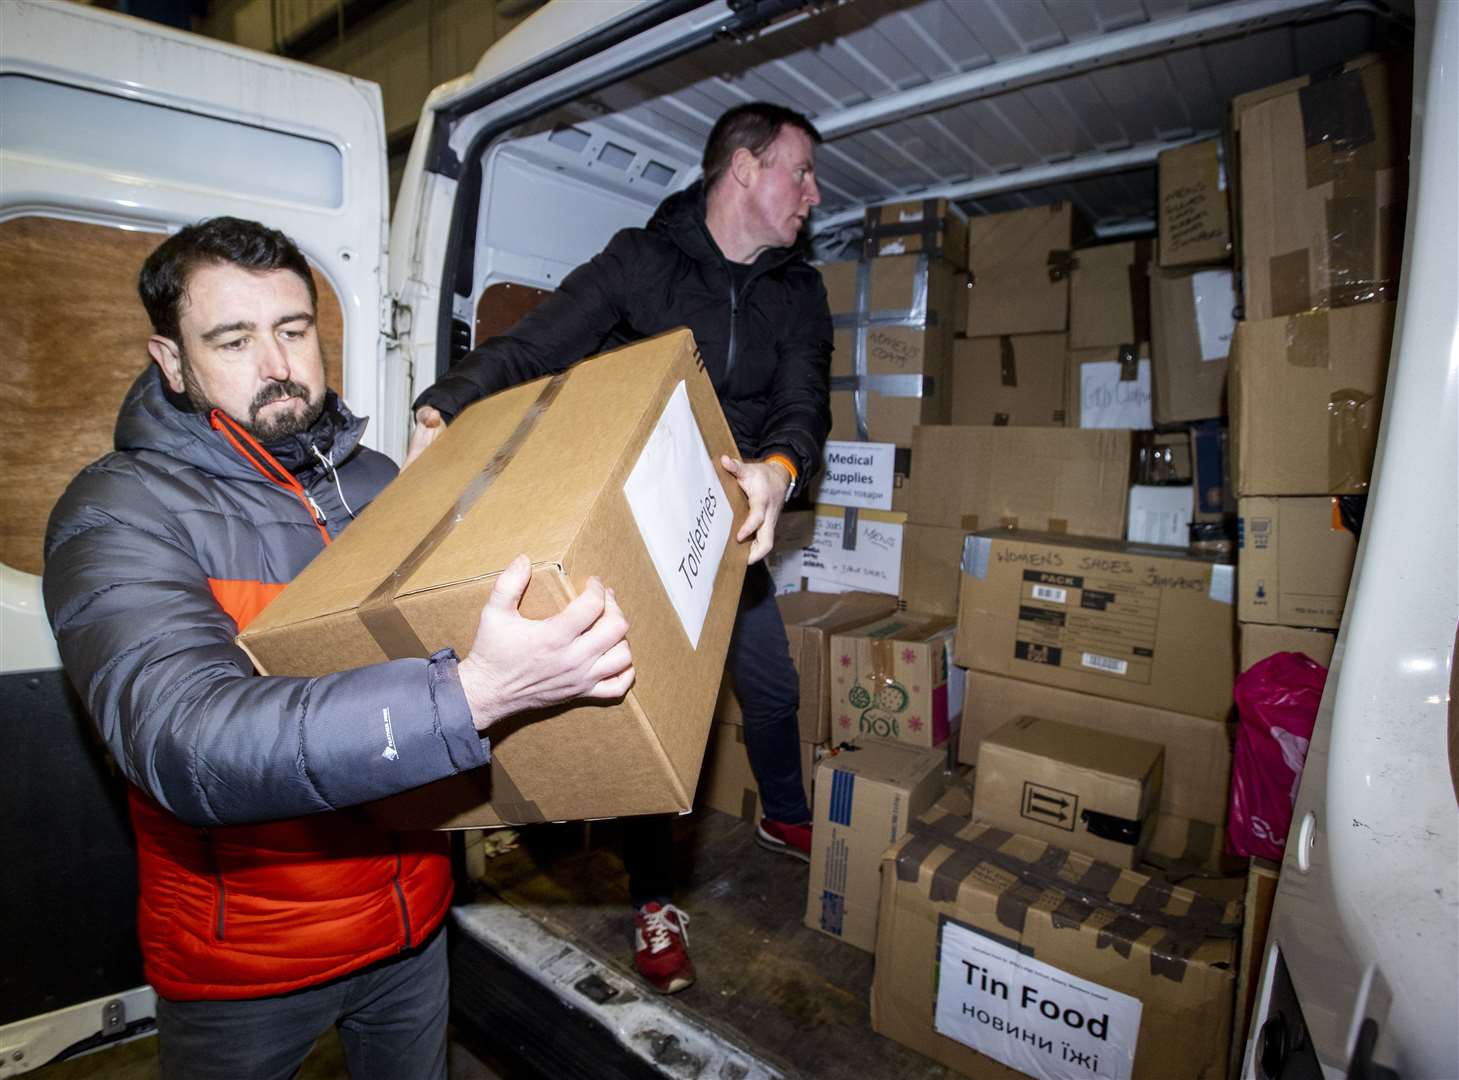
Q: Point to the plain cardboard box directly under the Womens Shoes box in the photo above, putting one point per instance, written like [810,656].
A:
[1199,751]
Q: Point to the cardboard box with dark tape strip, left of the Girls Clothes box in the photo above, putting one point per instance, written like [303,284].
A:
[1015,380]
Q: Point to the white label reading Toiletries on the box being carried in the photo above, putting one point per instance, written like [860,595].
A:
[682,512]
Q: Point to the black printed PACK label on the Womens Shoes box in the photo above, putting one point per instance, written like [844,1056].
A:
[1089,622]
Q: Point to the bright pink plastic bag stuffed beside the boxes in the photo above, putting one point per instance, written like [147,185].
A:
[1277,704]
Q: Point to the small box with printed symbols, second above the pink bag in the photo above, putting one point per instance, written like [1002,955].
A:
[1295,560]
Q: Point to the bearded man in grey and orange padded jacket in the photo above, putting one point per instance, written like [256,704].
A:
[269,909]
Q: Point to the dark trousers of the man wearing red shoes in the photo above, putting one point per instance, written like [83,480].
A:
[770,694]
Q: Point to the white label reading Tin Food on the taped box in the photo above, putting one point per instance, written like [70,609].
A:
[1029,1015]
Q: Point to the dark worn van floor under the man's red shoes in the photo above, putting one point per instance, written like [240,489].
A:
[794,998]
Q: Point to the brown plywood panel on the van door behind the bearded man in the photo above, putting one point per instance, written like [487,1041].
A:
[75,339]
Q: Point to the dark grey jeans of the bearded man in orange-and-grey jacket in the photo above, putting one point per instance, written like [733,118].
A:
[392,1019]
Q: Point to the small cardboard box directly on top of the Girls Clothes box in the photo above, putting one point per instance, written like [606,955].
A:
[1110,296]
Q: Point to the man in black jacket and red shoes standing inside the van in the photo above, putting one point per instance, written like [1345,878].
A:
[719,258]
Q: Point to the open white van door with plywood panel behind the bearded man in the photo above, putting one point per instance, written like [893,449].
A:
[117,132]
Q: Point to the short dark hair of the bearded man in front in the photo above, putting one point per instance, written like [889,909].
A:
[163,282]
